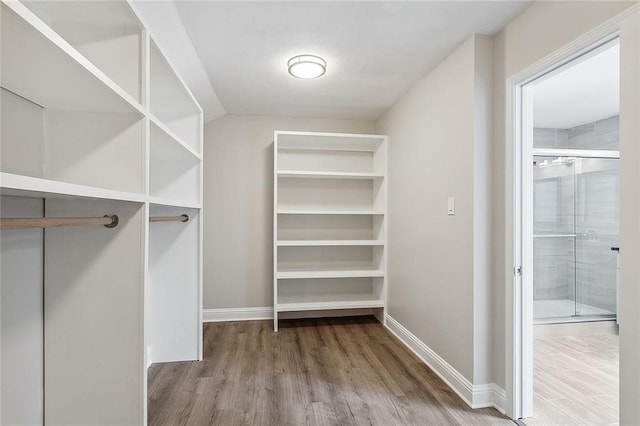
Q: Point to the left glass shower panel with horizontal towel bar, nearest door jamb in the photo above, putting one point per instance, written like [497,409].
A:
[554,238]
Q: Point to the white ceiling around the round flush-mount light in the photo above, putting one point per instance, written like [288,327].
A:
[375,50]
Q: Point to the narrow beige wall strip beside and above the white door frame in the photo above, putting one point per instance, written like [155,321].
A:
[521,44]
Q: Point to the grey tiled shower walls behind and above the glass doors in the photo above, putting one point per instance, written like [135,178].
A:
[592,205]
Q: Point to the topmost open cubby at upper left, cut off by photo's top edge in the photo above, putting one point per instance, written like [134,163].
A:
[107,33]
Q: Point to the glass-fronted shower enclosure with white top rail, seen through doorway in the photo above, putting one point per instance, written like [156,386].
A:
[575,226]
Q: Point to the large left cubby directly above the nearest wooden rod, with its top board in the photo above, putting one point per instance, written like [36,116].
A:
[62,118]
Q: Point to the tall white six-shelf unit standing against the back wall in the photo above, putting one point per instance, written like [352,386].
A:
[330,203]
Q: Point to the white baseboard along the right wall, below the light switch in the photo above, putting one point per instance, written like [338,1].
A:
[476,396]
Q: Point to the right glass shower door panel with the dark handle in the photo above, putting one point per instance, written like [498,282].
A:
[597,230]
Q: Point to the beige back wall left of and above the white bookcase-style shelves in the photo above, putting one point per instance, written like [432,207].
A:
[238,205]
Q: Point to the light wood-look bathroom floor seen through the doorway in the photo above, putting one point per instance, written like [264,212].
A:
[575,380]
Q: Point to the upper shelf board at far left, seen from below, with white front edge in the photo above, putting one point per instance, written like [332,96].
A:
[38,65]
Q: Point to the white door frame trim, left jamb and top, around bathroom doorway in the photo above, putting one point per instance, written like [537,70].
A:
[519,317]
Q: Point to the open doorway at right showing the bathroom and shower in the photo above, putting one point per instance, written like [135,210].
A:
[570,239]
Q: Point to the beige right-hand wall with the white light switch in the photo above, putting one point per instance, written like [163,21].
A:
[438,264]
